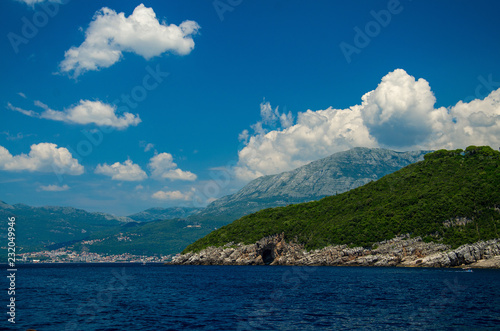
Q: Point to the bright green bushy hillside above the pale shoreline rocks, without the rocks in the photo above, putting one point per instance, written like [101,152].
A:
[451,197]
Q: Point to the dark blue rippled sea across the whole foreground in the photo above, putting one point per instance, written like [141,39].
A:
[160,297]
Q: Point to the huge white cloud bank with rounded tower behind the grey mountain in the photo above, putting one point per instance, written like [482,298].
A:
[399,114]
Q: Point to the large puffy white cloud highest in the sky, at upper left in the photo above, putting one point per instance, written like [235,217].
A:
[110,33]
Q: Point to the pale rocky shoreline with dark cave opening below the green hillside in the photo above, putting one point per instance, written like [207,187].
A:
[401,251]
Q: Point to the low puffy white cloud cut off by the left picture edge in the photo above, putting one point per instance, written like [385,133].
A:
[43,157]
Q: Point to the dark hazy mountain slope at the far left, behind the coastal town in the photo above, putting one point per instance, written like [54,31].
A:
[38,227]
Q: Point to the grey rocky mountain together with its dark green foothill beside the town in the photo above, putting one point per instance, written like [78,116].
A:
[334,174]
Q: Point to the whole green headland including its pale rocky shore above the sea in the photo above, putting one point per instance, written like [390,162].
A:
[443,211]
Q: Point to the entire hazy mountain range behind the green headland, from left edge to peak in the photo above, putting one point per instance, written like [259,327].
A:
[169,230]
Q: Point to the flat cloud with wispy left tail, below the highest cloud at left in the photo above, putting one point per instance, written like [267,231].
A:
[85,112]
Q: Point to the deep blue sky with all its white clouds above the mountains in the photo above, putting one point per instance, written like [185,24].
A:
[119,106]
